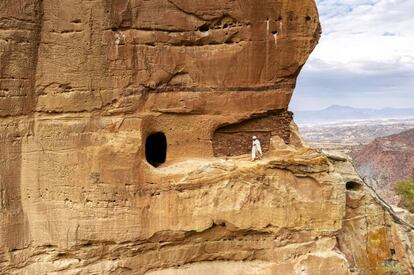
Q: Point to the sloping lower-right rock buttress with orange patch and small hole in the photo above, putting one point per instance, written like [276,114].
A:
[370,236]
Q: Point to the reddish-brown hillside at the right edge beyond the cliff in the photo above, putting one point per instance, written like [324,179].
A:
[385,161]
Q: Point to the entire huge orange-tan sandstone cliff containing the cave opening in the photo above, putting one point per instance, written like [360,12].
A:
[114,121]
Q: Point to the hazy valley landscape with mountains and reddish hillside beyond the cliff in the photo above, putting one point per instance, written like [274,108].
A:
[382,149]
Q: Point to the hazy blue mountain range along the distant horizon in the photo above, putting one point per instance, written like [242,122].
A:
[337,113]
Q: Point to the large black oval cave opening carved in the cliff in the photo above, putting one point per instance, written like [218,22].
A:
[156,149]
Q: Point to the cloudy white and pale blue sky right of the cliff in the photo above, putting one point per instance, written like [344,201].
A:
[364,59]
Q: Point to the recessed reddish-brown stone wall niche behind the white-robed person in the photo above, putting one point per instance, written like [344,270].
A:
[236,139]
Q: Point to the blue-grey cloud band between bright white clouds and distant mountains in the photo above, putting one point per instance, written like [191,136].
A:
[318,90]
